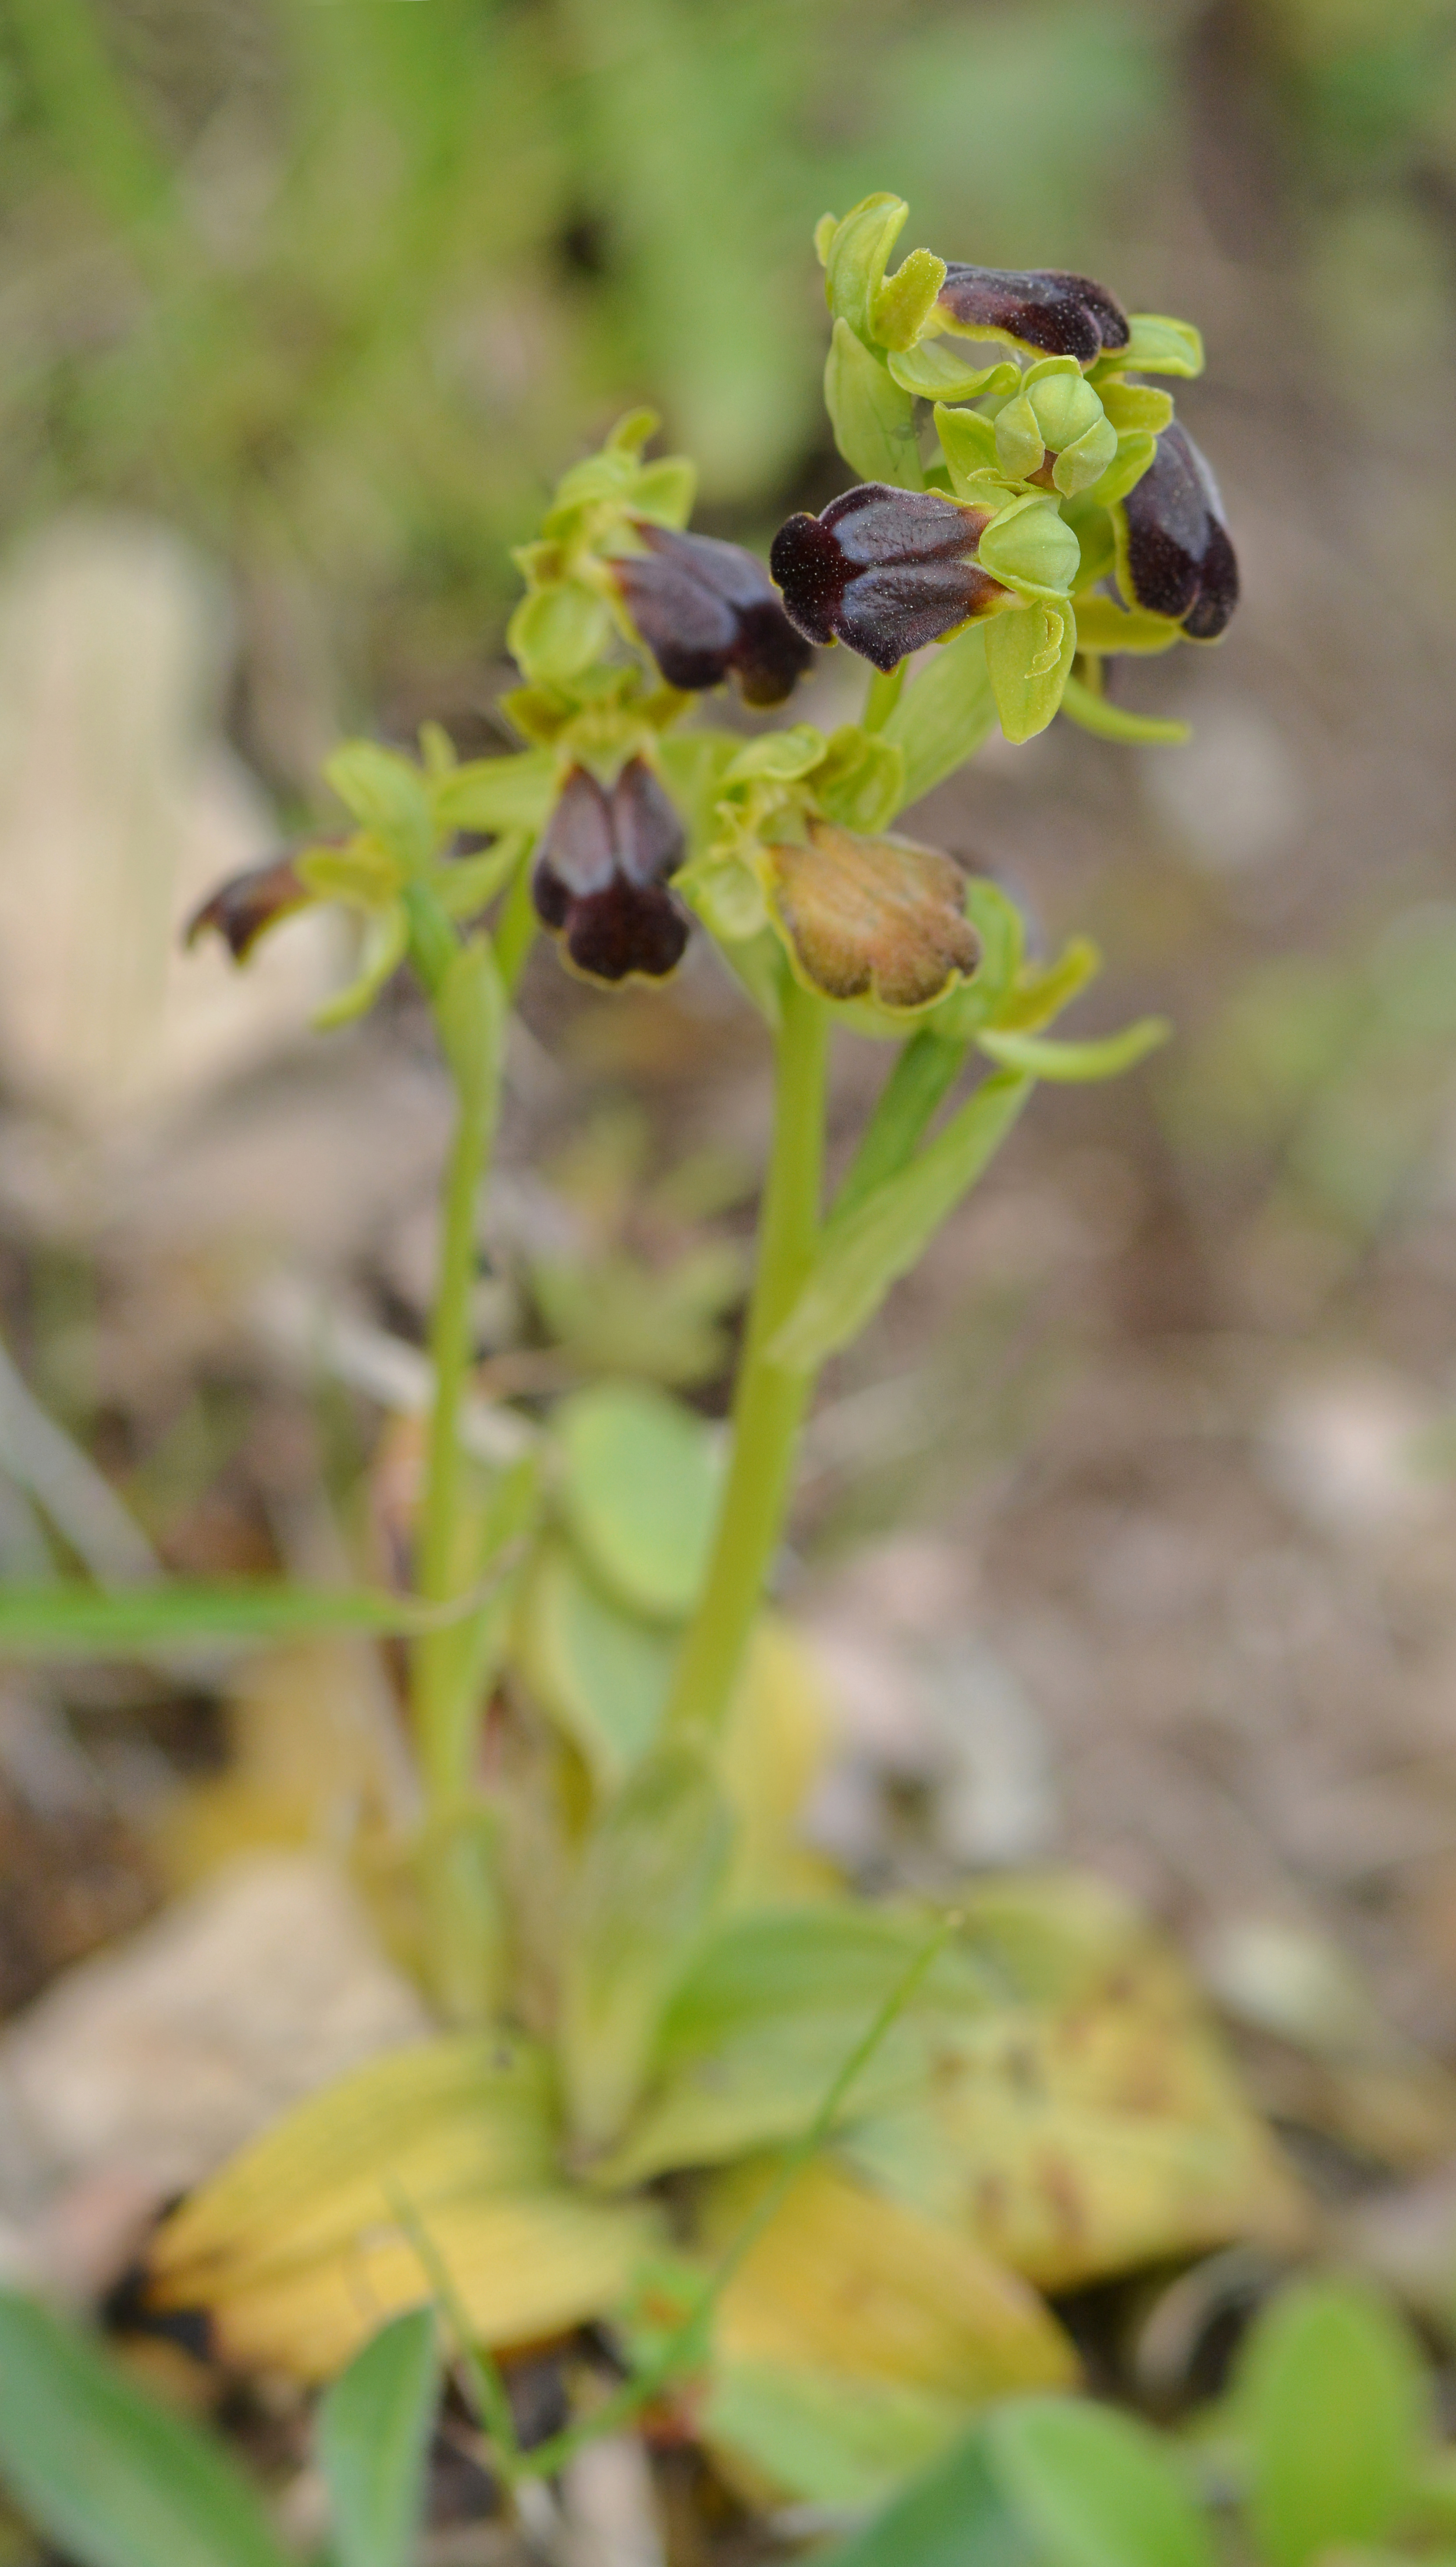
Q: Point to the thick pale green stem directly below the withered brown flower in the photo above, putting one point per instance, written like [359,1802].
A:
[769,1405]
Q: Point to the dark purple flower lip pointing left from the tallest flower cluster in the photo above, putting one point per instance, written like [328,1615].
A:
[885,571]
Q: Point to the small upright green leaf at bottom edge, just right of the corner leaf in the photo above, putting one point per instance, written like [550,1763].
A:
[374,2440]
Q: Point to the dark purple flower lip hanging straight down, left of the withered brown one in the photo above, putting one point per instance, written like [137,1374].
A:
[602,871]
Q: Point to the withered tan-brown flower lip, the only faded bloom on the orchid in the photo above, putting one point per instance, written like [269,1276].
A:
[872,918]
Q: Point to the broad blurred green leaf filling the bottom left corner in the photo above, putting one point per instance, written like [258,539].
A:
[109,2476]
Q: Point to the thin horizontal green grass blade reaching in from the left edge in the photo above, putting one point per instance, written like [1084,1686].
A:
[71,1621]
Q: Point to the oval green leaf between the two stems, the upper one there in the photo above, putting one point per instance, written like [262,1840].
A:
[641,1493]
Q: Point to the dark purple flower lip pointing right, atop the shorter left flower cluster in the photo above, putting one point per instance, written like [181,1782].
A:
[707,610]
